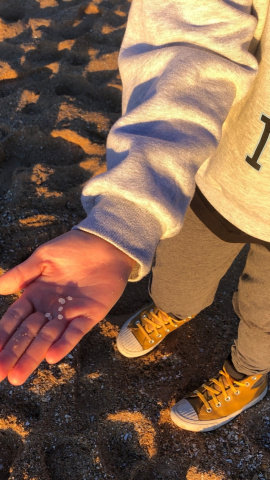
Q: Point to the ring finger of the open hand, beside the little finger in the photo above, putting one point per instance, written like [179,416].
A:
[37,351]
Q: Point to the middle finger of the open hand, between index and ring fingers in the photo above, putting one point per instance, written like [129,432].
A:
[19,342]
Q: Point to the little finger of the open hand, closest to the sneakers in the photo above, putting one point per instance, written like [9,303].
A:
[76,329]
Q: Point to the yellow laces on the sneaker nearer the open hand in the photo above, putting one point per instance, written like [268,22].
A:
[153,321]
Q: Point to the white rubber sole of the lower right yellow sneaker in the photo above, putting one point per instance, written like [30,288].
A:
[207,426]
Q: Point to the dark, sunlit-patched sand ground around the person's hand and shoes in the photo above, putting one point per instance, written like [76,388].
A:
[96,415]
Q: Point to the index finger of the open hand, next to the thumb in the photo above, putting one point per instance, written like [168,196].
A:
[12,319]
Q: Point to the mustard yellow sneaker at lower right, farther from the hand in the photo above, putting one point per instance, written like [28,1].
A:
[218,401]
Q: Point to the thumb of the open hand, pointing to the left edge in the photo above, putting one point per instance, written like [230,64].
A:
[19,277]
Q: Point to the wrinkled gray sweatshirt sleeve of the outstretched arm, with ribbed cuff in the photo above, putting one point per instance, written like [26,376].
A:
[183,65]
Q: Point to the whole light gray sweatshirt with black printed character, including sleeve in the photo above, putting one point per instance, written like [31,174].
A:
[196,109]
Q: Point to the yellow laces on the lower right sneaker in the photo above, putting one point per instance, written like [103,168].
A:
[231,385]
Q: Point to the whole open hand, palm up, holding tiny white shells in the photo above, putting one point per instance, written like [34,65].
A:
[70,284]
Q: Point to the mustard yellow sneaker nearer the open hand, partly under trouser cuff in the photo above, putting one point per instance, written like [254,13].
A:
[145,330]
